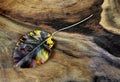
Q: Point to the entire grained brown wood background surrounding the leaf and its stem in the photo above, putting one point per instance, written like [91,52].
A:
[85,53]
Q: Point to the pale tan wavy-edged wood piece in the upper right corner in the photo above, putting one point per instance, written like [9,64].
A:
[111,16]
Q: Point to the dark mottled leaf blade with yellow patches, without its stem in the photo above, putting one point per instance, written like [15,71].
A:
[33,48]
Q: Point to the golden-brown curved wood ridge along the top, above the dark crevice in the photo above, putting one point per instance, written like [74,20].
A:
[44,11]
